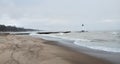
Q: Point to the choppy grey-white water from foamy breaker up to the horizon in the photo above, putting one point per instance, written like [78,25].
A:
[106,41]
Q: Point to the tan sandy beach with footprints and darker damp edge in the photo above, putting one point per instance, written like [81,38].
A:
[16,49]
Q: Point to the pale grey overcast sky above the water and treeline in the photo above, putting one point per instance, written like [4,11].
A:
[61,14]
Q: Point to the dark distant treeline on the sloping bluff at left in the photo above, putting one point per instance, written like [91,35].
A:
[13,28]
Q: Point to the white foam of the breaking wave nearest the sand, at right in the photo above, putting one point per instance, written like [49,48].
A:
[92,45]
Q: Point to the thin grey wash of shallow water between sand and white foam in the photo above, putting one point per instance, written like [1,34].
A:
[109,56]
